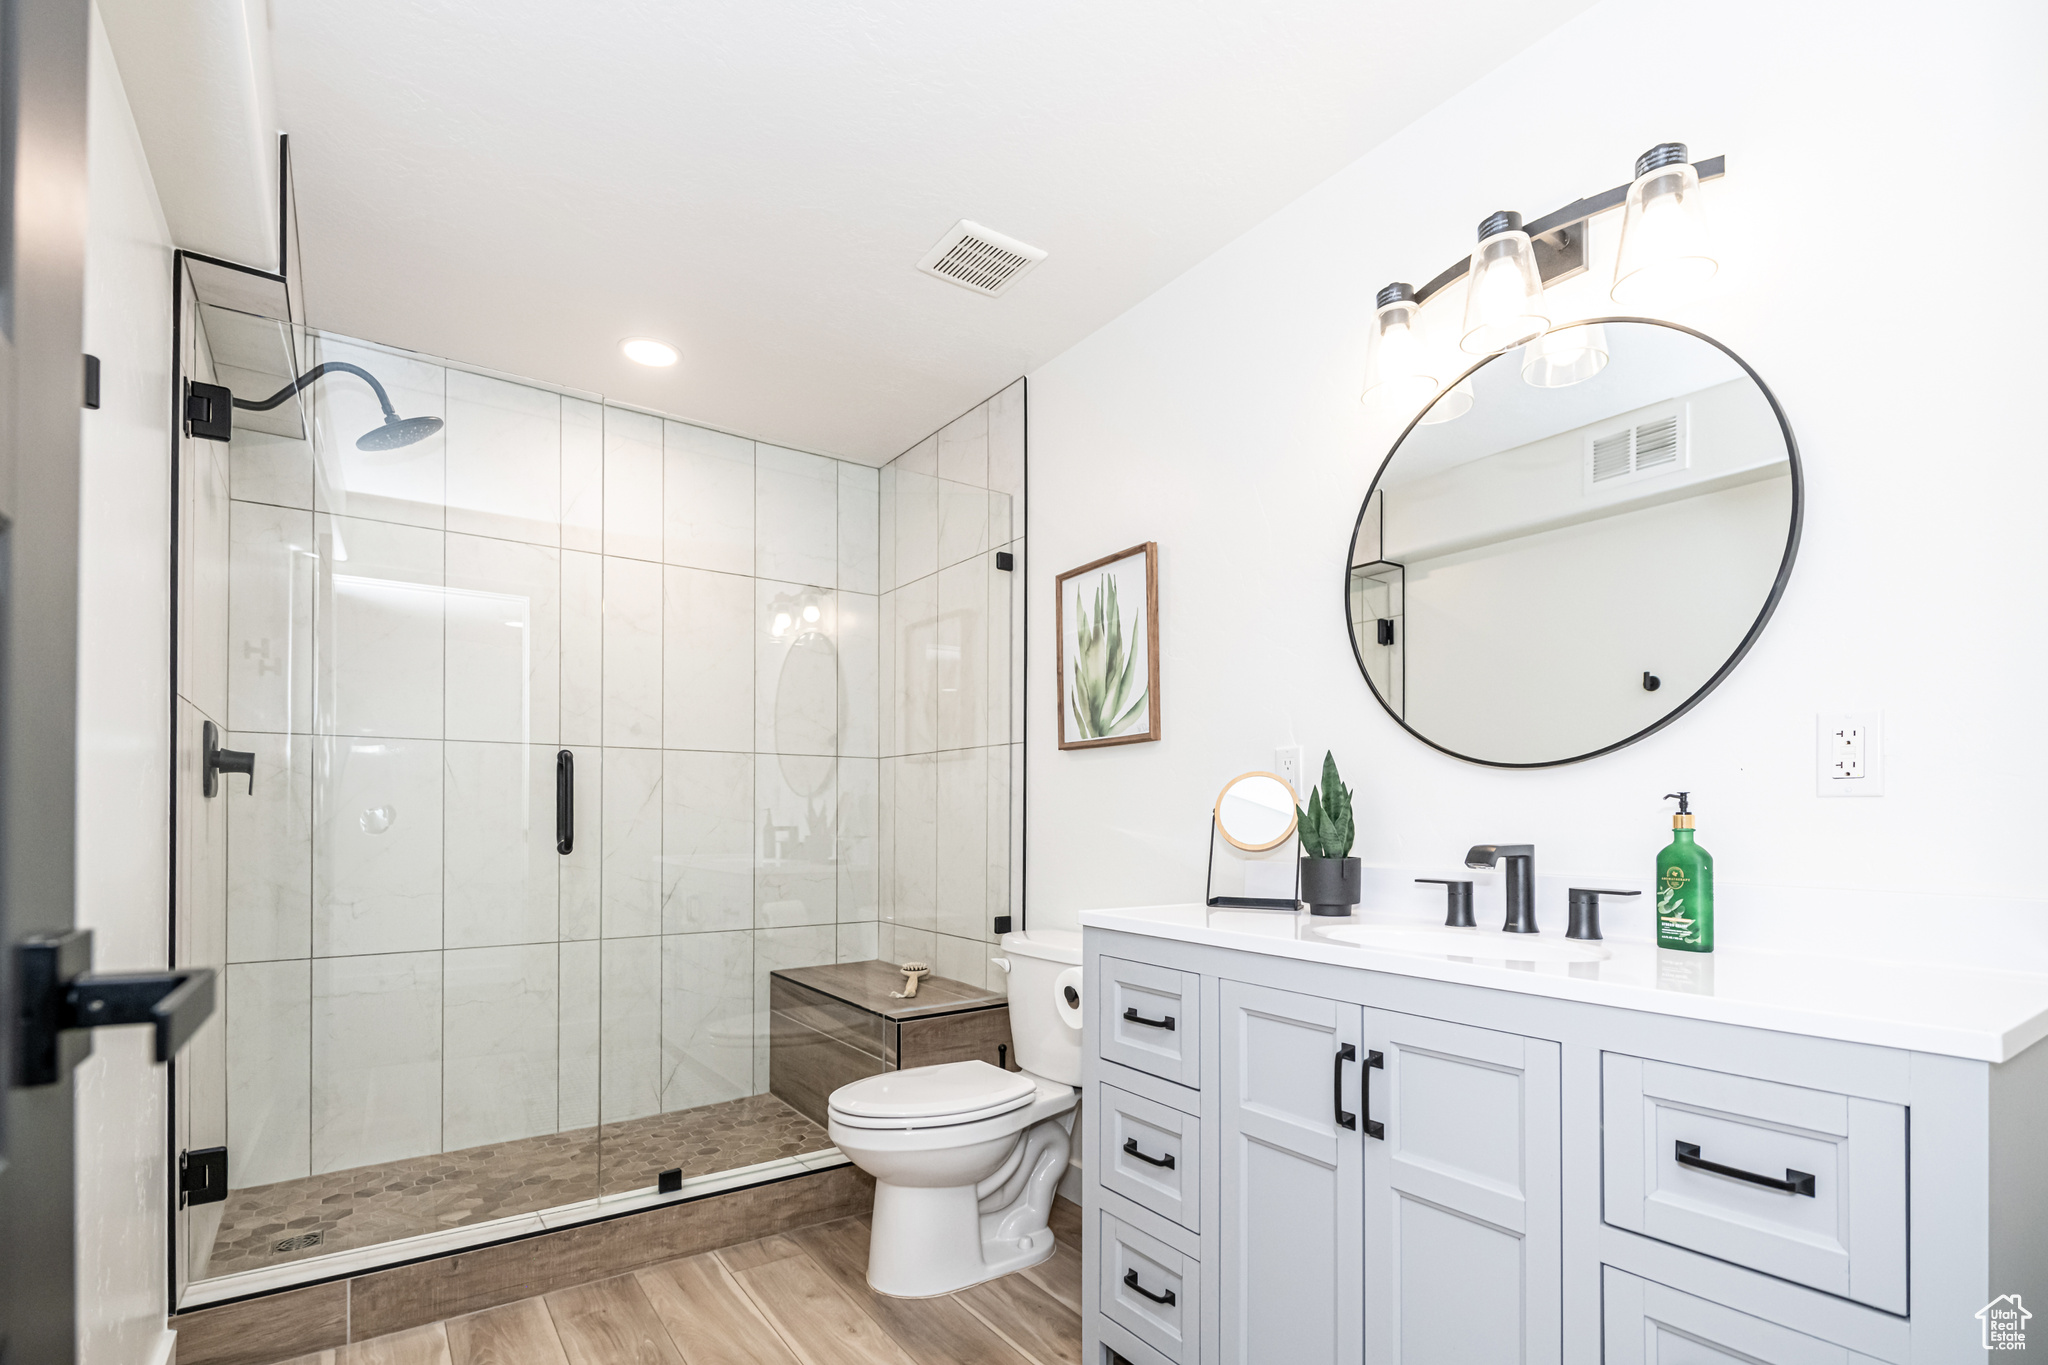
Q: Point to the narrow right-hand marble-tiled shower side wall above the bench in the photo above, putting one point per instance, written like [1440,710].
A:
[953,691]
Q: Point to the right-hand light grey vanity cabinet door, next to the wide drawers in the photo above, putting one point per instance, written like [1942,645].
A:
[1463,1188]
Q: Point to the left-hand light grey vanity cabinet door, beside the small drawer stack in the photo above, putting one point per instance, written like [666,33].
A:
[1291,1239]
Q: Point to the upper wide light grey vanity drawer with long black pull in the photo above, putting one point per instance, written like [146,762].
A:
[1811,1186]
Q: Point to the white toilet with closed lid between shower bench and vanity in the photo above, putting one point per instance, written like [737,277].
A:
[966,1155]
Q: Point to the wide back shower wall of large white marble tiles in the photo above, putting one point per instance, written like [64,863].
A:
[409,642]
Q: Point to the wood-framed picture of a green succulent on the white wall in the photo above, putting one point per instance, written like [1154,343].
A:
[1109,650]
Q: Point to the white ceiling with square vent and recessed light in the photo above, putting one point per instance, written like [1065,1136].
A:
[523,183]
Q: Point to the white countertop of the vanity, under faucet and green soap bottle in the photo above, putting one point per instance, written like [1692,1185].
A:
[1957,1012]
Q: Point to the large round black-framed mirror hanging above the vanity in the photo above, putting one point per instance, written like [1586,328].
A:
[1574,543]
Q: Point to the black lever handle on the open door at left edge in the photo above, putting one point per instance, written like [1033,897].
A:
[58,1000]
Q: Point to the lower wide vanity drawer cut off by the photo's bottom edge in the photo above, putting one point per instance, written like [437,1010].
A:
[1654,1325]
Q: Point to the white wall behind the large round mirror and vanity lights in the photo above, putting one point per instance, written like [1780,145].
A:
[1871,163]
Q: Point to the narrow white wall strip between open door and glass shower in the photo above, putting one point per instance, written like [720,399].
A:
[124,750]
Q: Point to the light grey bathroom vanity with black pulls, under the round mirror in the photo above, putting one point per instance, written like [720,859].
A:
[1392,1161]
